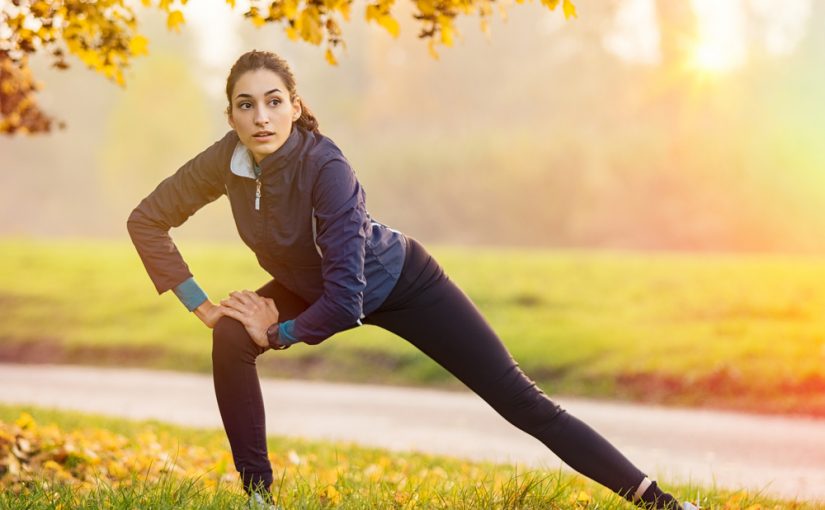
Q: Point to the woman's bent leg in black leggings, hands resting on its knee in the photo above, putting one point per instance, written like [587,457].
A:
[238,389]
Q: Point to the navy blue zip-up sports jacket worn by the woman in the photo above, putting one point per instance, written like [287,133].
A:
[309,228]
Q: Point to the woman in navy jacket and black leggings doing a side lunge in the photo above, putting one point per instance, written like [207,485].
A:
[299,206]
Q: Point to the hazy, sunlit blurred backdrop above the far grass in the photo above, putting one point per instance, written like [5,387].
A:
[640,125]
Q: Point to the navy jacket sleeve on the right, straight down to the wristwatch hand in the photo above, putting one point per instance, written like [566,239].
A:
[339,203]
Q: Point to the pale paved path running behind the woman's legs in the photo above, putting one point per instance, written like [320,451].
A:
[782,456]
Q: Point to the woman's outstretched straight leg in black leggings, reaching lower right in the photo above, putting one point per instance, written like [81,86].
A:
[430,311]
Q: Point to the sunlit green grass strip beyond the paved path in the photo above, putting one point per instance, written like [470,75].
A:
[732,331]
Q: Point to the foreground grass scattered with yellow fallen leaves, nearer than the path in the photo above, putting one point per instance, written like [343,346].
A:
[71,460]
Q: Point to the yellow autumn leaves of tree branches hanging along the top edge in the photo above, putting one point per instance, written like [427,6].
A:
[103,35]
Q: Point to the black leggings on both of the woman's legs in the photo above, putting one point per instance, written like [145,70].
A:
[428,310]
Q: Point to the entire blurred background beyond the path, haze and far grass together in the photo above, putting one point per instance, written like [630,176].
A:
[632,197]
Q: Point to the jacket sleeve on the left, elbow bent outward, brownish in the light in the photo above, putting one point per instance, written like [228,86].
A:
[195,184]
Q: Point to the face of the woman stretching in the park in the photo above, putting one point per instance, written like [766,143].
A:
[262,113]
